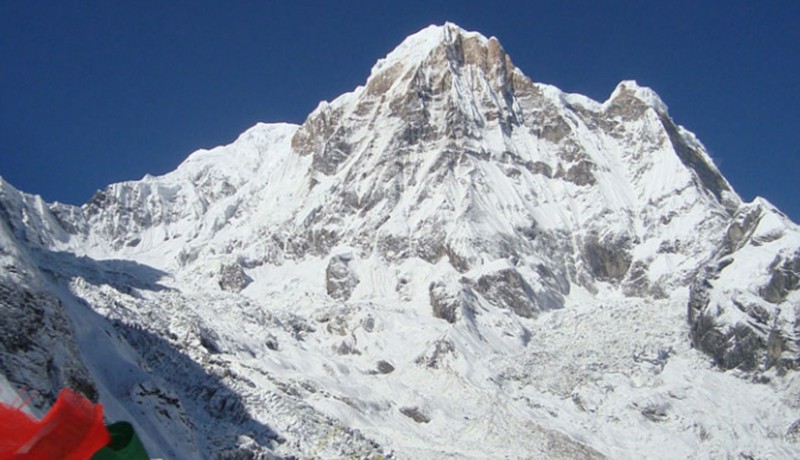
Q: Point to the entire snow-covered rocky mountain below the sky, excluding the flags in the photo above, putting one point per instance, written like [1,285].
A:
[451,261]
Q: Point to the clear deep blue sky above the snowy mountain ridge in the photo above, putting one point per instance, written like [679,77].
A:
[97,92]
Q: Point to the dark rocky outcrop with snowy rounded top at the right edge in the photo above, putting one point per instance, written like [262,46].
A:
[742,308]
